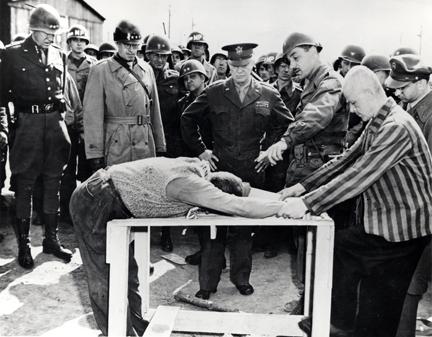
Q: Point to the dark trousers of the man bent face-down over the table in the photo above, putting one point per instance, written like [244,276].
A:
[92,205]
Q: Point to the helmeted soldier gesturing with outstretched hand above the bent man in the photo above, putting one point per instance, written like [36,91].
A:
[320,126]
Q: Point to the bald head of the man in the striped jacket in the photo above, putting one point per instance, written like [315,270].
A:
[363,92]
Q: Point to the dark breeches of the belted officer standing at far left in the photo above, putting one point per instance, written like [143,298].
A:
[40,148]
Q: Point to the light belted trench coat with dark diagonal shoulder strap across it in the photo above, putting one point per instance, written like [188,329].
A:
[114,102]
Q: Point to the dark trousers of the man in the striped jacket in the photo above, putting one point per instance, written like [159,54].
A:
[370,279]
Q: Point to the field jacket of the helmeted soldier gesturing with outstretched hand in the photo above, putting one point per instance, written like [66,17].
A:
[321,120]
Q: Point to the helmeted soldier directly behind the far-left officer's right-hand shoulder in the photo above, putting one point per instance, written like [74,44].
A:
[78,65]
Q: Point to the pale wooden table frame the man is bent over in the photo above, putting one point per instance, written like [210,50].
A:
[319,267]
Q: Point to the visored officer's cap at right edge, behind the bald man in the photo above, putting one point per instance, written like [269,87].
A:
[405,69]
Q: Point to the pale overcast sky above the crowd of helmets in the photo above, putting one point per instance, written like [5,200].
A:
[380,26]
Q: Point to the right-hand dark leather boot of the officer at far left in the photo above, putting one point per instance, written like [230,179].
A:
[51,244]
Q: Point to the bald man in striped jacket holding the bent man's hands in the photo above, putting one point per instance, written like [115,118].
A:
[390,167]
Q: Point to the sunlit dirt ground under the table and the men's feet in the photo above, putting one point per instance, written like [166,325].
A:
[52,299]
